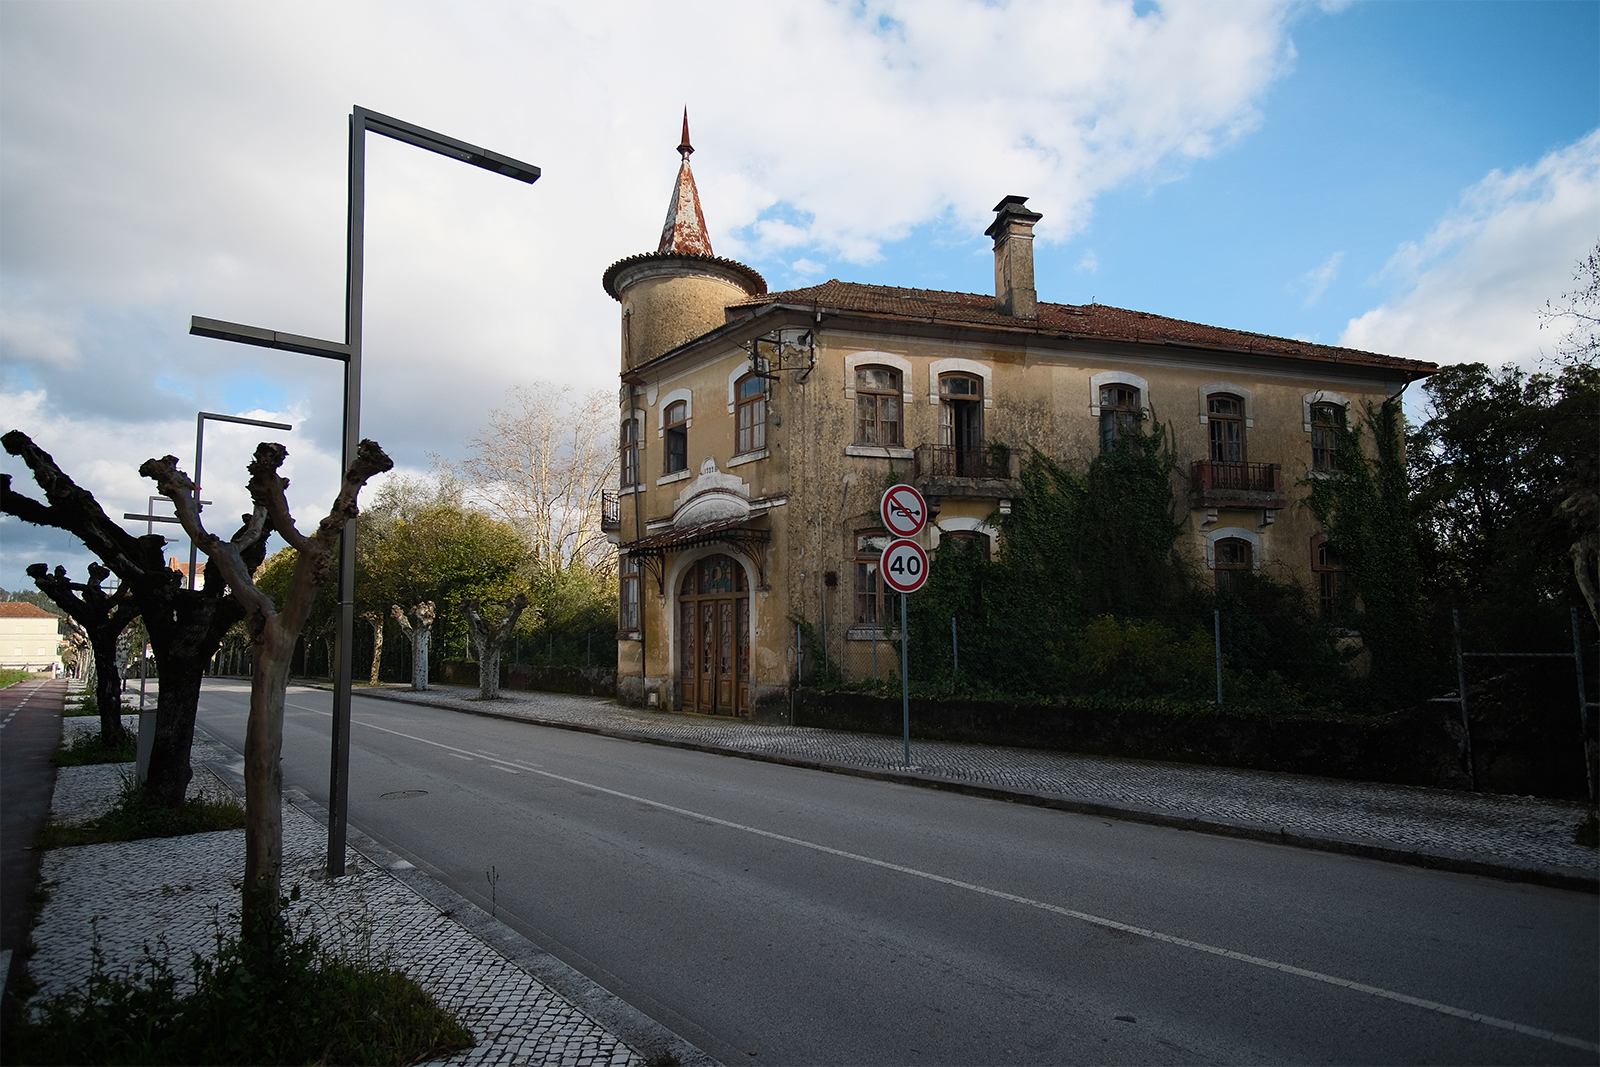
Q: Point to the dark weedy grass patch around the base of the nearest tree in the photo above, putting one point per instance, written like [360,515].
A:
[297,1004]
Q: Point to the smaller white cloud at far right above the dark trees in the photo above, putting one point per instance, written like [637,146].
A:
[1473,286]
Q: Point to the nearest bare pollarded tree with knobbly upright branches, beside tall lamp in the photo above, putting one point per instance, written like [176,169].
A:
[276,631]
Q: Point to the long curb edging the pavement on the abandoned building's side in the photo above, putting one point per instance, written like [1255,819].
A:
[1433,860]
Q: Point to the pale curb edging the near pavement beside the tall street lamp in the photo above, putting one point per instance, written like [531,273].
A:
[652,1041]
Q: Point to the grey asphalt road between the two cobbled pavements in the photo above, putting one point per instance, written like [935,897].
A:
[782,916]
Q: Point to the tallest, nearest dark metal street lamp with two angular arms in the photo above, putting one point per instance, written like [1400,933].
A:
[351,354]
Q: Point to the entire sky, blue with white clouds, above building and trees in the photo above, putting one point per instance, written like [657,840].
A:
[1410,178]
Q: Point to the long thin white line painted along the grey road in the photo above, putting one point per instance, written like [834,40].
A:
[1014,898]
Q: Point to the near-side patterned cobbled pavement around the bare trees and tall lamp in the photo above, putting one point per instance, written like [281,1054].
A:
[169,897]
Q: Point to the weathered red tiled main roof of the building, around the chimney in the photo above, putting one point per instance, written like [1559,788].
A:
[1073,321]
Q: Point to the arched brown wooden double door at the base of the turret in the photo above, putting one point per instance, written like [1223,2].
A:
[714,637]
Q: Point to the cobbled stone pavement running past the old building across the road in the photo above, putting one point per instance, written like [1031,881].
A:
[1519,837]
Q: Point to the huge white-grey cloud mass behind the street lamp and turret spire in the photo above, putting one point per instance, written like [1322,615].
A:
[174,161]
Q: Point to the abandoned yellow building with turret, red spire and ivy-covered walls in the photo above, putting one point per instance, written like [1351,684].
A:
[761,430]
